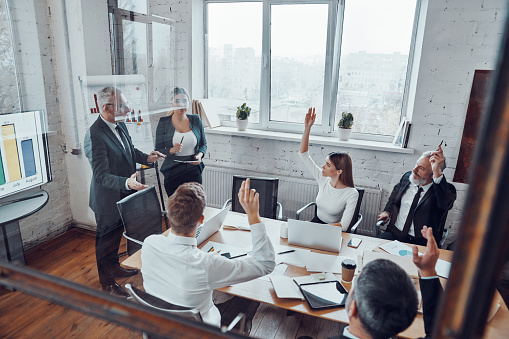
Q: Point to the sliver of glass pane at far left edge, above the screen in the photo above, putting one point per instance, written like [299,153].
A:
[9,100]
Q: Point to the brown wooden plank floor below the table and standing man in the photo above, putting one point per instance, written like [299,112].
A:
[72,256]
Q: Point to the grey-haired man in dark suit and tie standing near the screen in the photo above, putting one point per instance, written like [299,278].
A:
[113,158]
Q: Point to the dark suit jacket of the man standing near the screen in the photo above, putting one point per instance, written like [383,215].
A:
[111,166]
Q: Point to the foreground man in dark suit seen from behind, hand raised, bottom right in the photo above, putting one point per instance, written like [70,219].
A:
[383,299]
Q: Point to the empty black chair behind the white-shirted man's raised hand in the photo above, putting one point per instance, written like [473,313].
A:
[267,188]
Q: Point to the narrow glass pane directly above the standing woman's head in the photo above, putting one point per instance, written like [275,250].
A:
[163,69]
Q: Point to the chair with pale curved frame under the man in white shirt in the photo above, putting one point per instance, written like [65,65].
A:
[149,300]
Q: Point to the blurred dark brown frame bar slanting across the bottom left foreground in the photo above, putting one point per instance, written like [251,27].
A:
[93,302]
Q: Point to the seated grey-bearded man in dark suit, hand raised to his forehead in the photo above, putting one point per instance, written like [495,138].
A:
[422,197]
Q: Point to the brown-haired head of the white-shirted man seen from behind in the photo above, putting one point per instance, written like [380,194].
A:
[185,207]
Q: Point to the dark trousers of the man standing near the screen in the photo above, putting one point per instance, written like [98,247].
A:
[107,241]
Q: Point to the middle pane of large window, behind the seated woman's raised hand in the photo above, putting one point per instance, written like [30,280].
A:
[298,46]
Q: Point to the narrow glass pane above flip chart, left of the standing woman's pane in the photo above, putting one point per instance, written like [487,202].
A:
[135,47]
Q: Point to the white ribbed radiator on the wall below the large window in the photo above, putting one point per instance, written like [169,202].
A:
[293,194]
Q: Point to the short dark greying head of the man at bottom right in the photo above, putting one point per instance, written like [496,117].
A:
[385,298]
